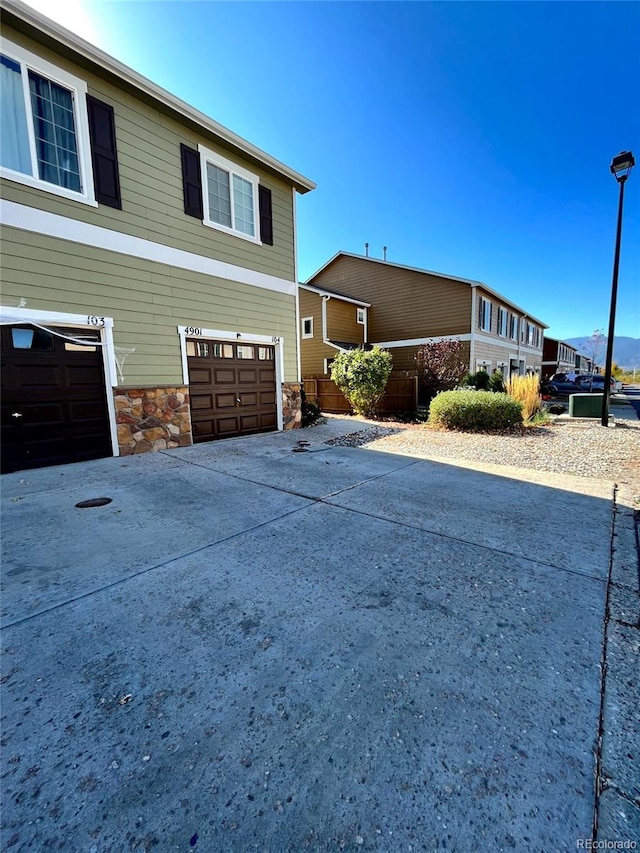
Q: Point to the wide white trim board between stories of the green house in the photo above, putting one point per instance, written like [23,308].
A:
[52,225]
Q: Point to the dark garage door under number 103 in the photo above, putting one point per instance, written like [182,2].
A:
[54,404]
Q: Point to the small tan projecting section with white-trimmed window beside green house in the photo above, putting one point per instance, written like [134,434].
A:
[329,323]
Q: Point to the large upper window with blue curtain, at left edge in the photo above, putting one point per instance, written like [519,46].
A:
[44,126]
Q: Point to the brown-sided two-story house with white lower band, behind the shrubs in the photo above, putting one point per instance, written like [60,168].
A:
[411,307]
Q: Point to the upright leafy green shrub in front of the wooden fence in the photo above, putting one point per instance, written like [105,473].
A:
[362,376]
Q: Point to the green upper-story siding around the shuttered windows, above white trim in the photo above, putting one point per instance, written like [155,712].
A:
[151,183]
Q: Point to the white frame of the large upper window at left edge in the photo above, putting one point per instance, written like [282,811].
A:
[30,62]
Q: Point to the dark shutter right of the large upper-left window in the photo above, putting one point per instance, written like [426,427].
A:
[104,155]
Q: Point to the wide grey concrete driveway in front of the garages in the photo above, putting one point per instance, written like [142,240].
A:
[252,648]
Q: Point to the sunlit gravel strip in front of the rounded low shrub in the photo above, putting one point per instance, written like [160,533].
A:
[584,451]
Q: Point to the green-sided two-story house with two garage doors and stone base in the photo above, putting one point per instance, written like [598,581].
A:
[149,293]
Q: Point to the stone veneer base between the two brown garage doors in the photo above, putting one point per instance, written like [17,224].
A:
[152,419]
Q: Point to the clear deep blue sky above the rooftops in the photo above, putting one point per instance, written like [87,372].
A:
[469,138]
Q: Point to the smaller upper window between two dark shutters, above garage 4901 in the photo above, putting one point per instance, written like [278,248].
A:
[230,196]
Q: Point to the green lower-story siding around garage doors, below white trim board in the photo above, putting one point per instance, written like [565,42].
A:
[147,300]
